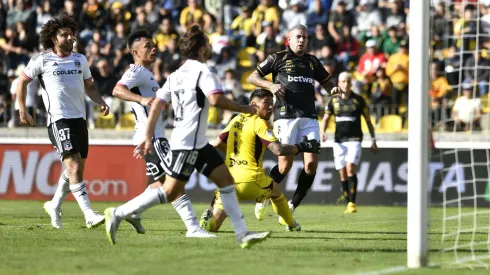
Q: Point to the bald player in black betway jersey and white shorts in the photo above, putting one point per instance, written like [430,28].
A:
[294,72]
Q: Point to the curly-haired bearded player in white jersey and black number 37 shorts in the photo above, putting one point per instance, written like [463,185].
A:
[65,78]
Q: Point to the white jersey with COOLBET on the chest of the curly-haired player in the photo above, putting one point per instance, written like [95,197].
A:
[63,81]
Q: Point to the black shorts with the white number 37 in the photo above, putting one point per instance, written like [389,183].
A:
[69,136]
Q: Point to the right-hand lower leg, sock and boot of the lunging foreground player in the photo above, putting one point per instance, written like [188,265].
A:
[221,176]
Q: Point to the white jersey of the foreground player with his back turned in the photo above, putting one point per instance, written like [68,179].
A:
[188,89]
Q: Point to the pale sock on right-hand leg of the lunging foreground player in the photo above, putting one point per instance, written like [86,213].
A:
[232,209]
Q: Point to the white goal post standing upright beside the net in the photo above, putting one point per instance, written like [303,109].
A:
[418,135]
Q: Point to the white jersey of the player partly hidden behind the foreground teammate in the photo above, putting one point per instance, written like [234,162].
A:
[140,81]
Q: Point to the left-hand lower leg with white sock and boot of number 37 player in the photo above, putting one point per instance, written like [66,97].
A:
[53,207]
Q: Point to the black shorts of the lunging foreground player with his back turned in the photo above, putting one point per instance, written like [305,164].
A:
[183,162]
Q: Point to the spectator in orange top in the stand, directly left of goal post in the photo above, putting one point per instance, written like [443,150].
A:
[397,71]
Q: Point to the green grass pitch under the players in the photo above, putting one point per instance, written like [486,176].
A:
[373,241]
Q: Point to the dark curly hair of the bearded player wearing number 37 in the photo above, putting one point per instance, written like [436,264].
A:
[49,30]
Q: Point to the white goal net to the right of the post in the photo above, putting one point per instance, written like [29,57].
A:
[460,120]
